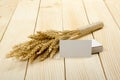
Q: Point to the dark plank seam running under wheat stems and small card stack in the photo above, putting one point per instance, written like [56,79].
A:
[94,38]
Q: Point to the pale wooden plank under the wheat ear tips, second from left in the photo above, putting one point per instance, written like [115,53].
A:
[21,25]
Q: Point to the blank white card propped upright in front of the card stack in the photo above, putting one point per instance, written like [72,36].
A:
[75,48]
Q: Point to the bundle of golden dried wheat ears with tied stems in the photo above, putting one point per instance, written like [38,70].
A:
[46,44]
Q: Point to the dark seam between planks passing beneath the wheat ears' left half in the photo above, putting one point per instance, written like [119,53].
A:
[27,65]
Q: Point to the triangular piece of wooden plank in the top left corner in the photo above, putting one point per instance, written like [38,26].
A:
[7,8]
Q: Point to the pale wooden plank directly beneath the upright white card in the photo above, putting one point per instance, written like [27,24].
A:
[89,68]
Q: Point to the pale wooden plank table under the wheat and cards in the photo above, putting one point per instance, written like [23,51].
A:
[20,18]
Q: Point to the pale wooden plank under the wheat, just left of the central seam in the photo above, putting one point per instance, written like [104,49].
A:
[49,19]
